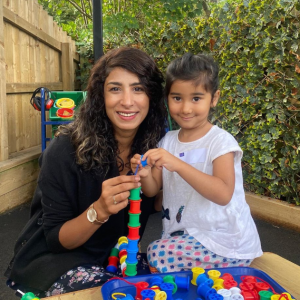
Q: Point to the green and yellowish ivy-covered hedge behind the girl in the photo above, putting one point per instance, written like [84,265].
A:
[256,44]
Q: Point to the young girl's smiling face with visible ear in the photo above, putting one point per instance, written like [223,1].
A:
[189,105]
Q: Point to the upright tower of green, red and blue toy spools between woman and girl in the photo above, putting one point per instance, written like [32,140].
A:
[133,232]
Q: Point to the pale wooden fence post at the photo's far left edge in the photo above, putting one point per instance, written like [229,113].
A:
[3,109]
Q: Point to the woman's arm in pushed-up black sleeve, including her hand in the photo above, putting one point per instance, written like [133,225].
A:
[67,191]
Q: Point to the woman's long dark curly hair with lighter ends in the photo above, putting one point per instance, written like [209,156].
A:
[92,132]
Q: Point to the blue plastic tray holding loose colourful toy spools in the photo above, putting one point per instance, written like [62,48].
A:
[120,286]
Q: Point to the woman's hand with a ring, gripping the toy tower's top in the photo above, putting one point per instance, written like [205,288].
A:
[114,196]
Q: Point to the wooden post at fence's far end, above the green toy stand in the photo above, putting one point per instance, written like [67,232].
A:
[67,67]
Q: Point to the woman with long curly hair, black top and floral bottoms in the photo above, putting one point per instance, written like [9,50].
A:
[80,207]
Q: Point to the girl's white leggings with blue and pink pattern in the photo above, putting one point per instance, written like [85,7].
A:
[184,252]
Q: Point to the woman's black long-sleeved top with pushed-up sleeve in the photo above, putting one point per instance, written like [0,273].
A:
[65,191]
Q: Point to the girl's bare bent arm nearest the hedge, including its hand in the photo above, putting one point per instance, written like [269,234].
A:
[217,188]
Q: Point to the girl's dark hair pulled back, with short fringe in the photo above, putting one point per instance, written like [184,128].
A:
[200,68]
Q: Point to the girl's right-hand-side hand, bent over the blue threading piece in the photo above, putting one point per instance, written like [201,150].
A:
[162,158]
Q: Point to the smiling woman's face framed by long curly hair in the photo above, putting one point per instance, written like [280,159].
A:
[126,101]
